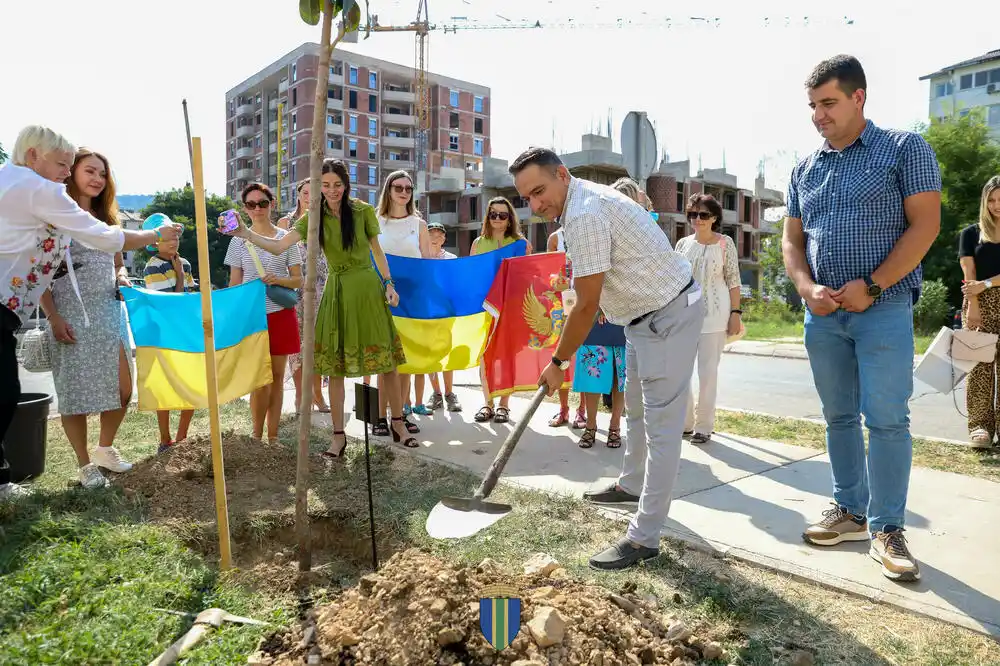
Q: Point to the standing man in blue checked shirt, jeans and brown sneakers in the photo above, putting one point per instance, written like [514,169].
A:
[862,212]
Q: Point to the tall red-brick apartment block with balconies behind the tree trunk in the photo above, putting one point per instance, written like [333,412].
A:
[371,124]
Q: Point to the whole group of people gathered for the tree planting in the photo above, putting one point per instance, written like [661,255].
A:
[863,210]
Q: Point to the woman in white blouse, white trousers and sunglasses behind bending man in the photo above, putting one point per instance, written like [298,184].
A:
[716,268]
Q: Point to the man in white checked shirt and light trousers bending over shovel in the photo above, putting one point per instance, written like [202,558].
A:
[624,265]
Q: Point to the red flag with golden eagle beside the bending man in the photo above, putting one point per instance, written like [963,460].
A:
[527,306]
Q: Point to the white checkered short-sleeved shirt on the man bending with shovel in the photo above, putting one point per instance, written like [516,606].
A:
[606,232]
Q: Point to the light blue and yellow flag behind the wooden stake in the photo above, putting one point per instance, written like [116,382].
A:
[170,345]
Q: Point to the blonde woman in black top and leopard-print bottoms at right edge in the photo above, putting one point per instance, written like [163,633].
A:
[979,257]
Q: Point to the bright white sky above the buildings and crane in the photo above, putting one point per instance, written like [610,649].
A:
[112,77]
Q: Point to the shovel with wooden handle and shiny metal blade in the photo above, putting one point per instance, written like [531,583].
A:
[458,517]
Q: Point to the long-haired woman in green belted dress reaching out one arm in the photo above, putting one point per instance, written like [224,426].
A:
[355,334]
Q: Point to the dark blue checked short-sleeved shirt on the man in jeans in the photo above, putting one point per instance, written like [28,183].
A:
[850,202]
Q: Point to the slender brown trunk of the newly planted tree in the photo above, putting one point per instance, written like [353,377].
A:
[309,292]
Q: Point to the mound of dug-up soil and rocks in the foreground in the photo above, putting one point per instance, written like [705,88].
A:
[417,610]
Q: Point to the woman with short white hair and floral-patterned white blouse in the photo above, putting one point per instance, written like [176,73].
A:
[37,220]
